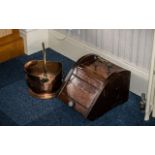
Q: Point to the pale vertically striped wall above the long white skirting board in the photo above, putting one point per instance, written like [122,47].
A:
[134,46]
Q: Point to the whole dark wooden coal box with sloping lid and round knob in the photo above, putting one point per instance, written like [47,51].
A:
[94,86]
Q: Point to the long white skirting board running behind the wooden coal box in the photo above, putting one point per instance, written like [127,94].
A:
[74,49]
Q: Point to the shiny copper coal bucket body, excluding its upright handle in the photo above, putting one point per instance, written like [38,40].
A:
[35,73]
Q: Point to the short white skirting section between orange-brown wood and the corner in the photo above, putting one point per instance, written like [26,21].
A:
[33,39]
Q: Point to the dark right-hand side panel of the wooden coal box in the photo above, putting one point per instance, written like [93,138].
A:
[116,92]
